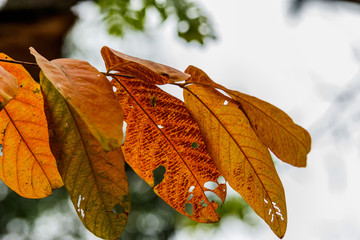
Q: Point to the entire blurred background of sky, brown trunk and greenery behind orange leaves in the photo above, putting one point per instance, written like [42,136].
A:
[300,55]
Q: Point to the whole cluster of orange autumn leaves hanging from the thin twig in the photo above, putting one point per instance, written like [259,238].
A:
[68,130]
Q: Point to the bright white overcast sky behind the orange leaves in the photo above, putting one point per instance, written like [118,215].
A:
[298,64]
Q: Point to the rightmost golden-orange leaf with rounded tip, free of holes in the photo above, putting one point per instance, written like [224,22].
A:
[276,130]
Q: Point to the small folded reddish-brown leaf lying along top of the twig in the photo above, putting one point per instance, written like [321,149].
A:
[140,68]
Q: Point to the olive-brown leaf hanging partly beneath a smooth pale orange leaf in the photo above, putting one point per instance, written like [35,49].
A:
[95,179]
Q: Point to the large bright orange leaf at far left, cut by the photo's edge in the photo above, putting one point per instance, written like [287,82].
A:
[27,165]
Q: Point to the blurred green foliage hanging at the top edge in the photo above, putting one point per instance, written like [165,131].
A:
[193,25]
